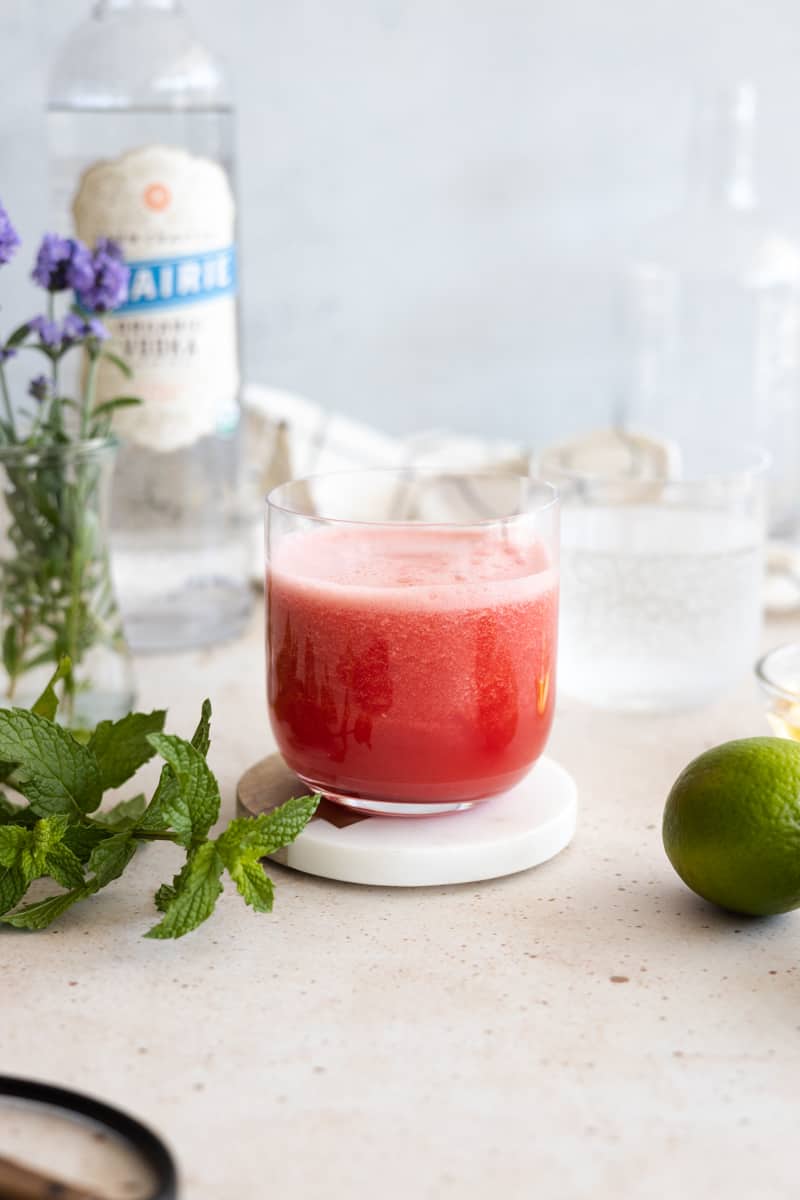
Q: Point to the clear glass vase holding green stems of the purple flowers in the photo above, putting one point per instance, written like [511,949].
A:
[57,598]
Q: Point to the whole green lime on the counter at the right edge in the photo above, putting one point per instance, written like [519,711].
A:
[732,826]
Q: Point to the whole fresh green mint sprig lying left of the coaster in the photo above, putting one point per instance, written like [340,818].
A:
[62,836]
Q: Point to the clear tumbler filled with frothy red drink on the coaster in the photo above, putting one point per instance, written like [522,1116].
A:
[412,633]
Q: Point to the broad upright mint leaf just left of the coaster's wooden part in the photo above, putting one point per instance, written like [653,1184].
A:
[193,806]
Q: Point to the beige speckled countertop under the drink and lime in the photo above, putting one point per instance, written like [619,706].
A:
[447,1042]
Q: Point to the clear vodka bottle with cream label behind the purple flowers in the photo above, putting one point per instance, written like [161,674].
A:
[142,143]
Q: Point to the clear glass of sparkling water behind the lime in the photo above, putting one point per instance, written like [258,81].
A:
[661,596]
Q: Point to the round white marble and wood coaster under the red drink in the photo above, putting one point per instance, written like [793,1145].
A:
[522,829]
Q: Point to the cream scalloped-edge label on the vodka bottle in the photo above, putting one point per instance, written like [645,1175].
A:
[173,215]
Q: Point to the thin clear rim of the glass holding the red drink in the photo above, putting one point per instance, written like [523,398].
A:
[274,501]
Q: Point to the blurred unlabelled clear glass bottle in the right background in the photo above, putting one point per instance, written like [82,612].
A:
[714,310]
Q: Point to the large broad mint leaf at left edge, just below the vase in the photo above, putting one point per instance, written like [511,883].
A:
[55,772]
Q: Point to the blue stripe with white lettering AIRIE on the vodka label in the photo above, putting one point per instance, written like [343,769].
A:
[175,283]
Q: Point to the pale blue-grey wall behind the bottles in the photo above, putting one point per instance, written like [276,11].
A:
[437,196]
